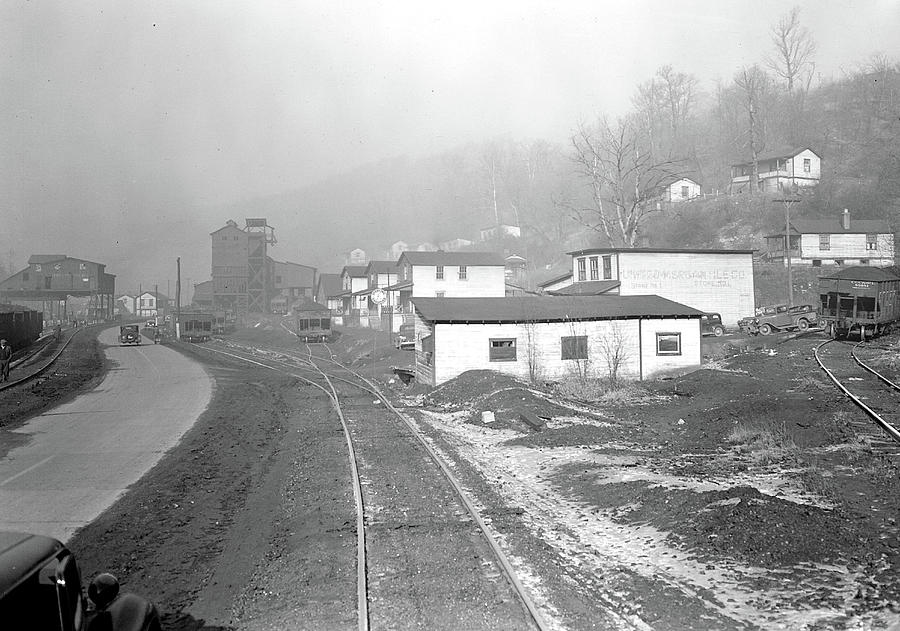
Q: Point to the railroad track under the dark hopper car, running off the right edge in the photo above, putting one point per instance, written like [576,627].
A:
[877,395]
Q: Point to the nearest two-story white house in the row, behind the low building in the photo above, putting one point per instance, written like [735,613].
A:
[448,275]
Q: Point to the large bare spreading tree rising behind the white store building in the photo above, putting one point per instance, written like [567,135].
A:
[623,178]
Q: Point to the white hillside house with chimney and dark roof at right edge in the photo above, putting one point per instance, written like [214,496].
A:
[818,242]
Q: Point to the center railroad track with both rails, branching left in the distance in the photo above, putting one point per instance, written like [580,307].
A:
[416,525]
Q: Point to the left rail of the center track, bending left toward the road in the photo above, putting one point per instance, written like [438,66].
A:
[362,589]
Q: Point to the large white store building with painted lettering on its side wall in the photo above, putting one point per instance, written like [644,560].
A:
[719,281]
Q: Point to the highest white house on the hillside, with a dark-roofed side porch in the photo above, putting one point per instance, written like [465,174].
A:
[785,170]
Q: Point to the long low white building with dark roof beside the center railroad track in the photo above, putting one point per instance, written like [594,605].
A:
[553,338]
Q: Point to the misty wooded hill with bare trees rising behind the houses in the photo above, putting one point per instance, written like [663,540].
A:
[545,186]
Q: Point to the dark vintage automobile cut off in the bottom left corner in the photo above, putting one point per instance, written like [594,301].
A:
[40,588]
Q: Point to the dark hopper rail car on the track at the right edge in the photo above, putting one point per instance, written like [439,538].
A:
[860,300]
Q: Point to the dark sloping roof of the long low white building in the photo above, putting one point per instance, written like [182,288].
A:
[550,308]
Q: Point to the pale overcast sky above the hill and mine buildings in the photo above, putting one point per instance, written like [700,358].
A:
[123,112]
